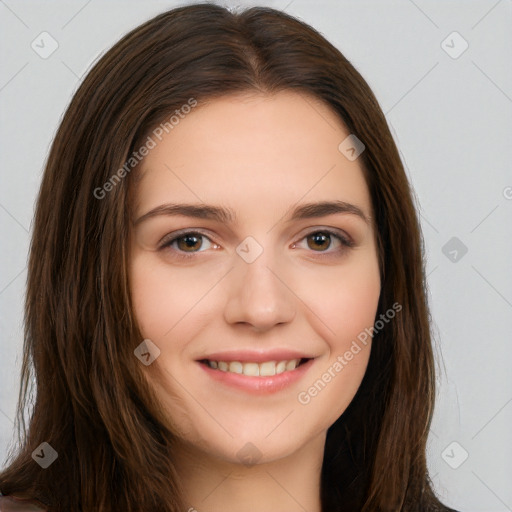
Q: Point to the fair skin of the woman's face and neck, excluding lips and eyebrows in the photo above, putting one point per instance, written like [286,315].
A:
[241,152]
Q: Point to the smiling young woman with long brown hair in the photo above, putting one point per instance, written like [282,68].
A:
[193,350]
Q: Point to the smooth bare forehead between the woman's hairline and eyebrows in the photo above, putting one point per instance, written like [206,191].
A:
[244,149]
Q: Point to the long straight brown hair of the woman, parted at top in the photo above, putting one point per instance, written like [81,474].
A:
[91,401]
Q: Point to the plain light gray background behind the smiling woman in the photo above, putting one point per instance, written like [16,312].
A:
[452,120]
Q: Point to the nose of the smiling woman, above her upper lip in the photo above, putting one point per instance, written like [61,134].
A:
[258,295]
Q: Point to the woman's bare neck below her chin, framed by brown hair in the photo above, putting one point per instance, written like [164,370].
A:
[289,484]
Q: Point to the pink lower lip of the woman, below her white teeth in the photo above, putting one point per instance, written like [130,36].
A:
[258,385]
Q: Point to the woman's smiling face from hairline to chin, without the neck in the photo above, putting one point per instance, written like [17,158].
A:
[254,291]
